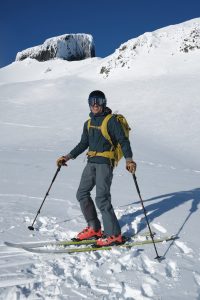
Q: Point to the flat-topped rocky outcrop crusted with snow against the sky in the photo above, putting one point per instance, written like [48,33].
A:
[68,46]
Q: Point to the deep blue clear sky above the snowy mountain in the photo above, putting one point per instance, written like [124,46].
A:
[27,23]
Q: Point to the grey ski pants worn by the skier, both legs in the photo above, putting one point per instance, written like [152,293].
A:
[100,175]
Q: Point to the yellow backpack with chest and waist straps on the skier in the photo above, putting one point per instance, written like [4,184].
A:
[115,153]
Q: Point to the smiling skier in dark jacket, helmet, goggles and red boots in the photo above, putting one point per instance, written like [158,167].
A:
[99,172]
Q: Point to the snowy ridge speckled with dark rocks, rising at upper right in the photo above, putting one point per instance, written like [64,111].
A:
[167,42]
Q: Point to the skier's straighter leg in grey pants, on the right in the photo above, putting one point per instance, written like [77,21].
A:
[104,175]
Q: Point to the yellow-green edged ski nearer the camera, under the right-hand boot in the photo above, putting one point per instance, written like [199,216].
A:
[91,249]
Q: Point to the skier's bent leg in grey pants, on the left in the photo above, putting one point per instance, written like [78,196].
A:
[88,181]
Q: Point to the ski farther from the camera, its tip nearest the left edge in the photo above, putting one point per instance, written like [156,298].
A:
[62,243]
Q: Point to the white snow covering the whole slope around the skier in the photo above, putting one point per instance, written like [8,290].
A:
[43,107]
